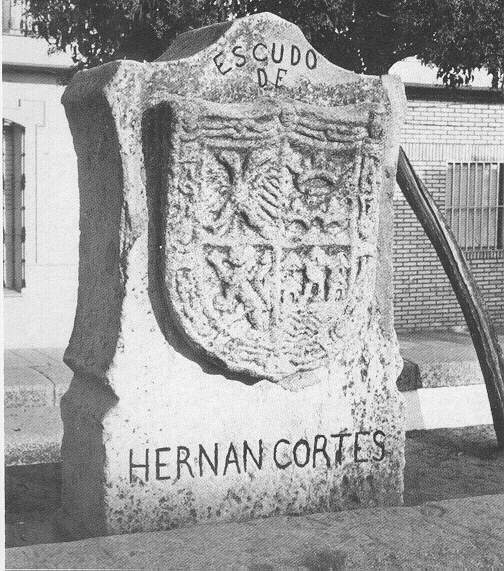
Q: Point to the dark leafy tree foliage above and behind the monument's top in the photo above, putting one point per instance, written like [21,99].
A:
[369,36]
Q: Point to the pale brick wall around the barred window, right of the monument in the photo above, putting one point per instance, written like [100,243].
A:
[436,132]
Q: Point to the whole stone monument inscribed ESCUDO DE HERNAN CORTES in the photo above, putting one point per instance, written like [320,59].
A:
[233,348]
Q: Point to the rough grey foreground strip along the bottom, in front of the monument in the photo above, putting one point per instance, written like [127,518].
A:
[456,534]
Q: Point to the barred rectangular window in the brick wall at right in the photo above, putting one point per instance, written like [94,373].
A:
[475,204]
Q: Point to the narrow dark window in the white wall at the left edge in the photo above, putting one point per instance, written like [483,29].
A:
[13,205]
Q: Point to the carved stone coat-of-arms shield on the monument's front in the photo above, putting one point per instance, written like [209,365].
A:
[268,213]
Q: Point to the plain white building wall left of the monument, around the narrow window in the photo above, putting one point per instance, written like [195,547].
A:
[41,315]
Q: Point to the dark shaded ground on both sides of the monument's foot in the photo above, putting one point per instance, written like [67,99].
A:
[440,464]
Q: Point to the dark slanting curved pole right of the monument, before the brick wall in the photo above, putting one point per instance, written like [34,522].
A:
[463,283]
